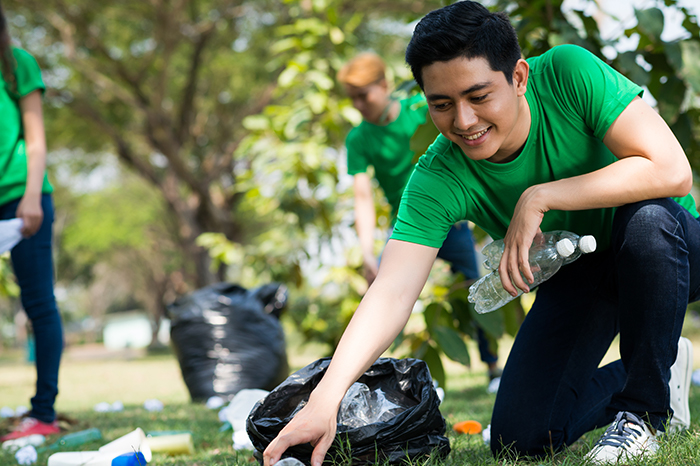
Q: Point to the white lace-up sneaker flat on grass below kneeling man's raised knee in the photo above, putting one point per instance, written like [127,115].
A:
[626,438]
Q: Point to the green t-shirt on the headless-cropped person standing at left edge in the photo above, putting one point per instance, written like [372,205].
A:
[13,155]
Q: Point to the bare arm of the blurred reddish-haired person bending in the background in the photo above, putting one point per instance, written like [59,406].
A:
[365,224]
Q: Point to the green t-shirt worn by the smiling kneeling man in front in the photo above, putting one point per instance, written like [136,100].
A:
[574,98]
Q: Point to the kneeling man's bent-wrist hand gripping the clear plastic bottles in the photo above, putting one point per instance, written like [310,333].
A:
[523,229]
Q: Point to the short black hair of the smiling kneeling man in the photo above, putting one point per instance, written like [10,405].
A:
[463,29]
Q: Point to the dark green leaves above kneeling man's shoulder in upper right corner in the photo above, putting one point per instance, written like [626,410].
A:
[669,70]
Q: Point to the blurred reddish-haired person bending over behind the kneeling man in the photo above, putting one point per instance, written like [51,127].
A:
[382,140]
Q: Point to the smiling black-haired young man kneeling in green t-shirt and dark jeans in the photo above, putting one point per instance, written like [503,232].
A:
[560,141]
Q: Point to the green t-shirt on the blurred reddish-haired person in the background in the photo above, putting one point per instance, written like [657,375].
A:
[387,149]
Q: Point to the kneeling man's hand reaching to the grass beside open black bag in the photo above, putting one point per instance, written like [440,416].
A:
[315,423]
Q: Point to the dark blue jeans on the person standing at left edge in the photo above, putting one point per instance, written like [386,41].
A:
[33,266]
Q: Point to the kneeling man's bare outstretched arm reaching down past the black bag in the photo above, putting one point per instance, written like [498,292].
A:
[379,318]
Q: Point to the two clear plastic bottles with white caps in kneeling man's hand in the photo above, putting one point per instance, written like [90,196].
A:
[547,255]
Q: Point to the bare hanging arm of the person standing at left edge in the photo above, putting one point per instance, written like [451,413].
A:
[29,208]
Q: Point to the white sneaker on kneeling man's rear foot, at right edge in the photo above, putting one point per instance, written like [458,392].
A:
[681,375]
